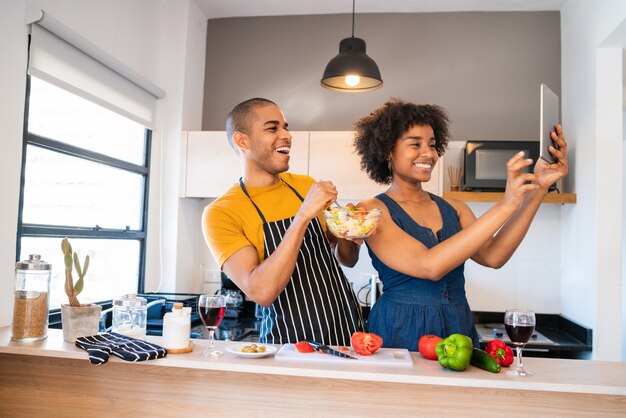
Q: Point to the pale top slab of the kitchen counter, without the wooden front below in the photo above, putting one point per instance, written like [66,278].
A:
[551,375]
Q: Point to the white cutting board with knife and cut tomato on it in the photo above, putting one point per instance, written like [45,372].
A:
[384,356]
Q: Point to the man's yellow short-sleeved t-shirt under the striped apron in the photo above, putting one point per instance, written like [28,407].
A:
[231,222]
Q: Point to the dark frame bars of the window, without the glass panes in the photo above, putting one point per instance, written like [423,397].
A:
[96,232]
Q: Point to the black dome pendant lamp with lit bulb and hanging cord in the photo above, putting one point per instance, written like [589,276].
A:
[352,71]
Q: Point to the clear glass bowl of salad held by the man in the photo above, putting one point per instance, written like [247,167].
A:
[352,222]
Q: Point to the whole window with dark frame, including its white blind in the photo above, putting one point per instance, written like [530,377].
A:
[86,161]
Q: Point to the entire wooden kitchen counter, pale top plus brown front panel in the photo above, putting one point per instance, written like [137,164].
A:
[185,384]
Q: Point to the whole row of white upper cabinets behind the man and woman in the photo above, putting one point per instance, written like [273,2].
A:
[210,166]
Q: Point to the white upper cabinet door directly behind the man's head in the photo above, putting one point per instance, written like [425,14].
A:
[210,166]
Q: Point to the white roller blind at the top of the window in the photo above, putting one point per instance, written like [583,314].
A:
[62,57]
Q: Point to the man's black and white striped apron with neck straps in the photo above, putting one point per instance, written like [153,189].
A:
[318,302]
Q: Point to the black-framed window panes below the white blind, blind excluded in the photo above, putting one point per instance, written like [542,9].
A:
[85,176]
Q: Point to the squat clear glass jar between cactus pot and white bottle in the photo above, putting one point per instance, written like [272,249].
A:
[130,315]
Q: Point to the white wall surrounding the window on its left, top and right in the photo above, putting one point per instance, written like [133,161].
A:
[164,42]
